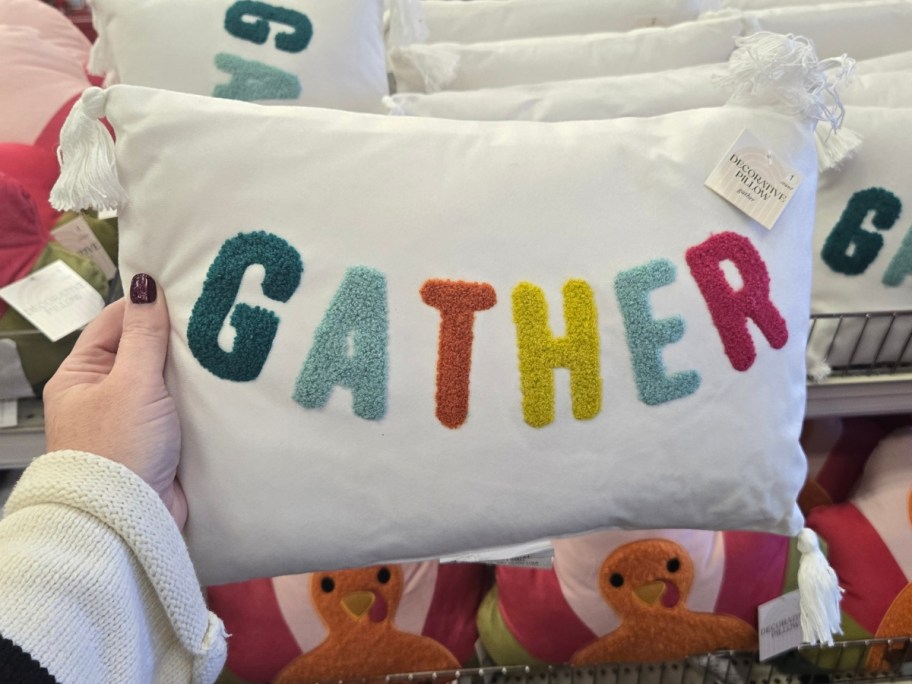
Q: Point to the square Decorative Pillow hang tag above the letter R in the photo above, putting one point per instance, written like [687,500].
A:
[753,179]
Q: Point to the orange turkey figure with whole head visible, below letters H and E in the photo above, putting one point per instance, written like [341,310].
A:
[647,583]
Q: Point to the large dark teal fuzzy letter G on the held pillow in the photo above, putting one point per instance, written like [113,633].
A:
[255,326]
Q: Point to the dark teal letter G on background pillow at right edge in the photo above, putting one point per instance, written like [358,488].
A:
[849,248]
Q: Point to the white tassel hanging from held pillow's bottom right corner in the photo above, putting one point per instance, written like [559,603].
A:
[819,591]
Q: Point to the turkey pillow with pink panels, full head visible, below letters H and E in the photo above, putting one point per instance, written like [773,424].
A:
[624,596]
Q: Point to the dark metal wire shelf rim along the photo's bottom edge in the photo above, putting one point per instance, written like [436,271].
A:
[844,663]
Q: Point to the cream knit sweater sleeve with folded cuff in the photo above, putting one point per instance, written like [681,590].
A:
[95,580]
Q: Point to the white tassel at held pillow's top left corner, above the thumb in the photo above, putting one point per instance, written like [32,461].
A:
[88,169]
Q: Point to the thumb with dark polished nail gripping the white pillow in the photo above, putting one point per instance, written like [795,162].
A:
[144,342]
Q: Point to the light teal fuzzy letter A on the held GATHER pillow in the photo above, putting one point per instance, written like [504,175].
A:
[358,314]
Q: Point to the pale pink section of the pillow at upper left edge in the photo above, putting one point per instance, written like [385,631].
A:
[37,80]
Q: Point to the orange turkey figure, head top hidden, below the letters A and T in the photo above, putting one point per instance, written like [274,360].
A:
[358,607]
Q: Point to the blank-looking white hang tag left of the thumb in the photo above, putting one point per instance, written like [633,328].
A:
[55,299]
